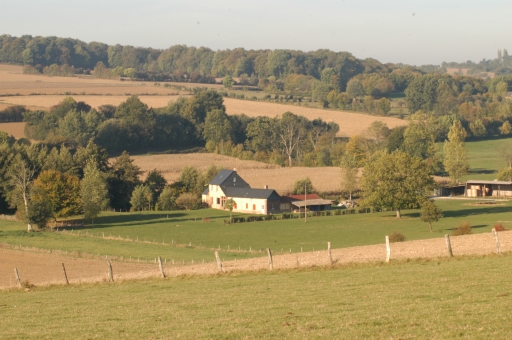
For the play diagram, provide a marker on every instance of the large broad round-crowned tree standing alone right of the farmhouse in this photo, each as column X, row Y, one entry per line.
column 396, row 181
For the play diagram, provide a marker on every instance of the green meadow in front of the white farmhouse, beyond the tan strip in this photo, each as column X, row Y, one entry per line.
column 341, row 231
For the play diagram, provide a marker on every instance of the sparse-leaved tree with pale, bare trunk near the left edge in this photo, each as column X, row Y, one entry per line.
column 20, row 178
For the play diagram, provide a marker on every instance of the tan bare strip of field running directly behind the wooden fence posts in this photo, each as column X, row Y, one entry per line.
column 43, row 268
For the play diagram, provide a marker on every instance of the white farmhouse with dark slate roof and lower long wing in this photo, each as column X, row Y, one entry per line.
column 228, row 184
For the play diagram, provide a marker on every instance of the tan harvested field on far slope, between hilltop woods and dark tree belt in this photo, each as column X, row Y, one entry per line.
column 98, row 92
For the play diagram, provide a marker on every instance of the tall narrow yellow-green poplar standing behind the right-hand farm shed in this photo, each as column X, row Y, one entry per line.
column 455, row 155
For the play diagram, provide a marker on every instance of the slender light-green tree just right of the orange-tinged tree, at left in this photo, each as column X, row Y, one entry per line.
column 93, row 191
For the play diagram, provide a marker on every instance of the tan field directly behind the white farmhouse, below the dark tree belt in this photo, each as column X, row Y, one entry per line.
column 257, row 174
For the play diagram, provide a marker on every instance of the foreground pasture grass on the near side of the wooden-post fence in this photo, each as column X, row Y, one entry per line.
column 467, row 297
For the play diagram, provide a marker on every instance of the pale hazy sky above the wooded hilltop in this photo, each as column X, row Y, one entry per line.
column 413, row 32
